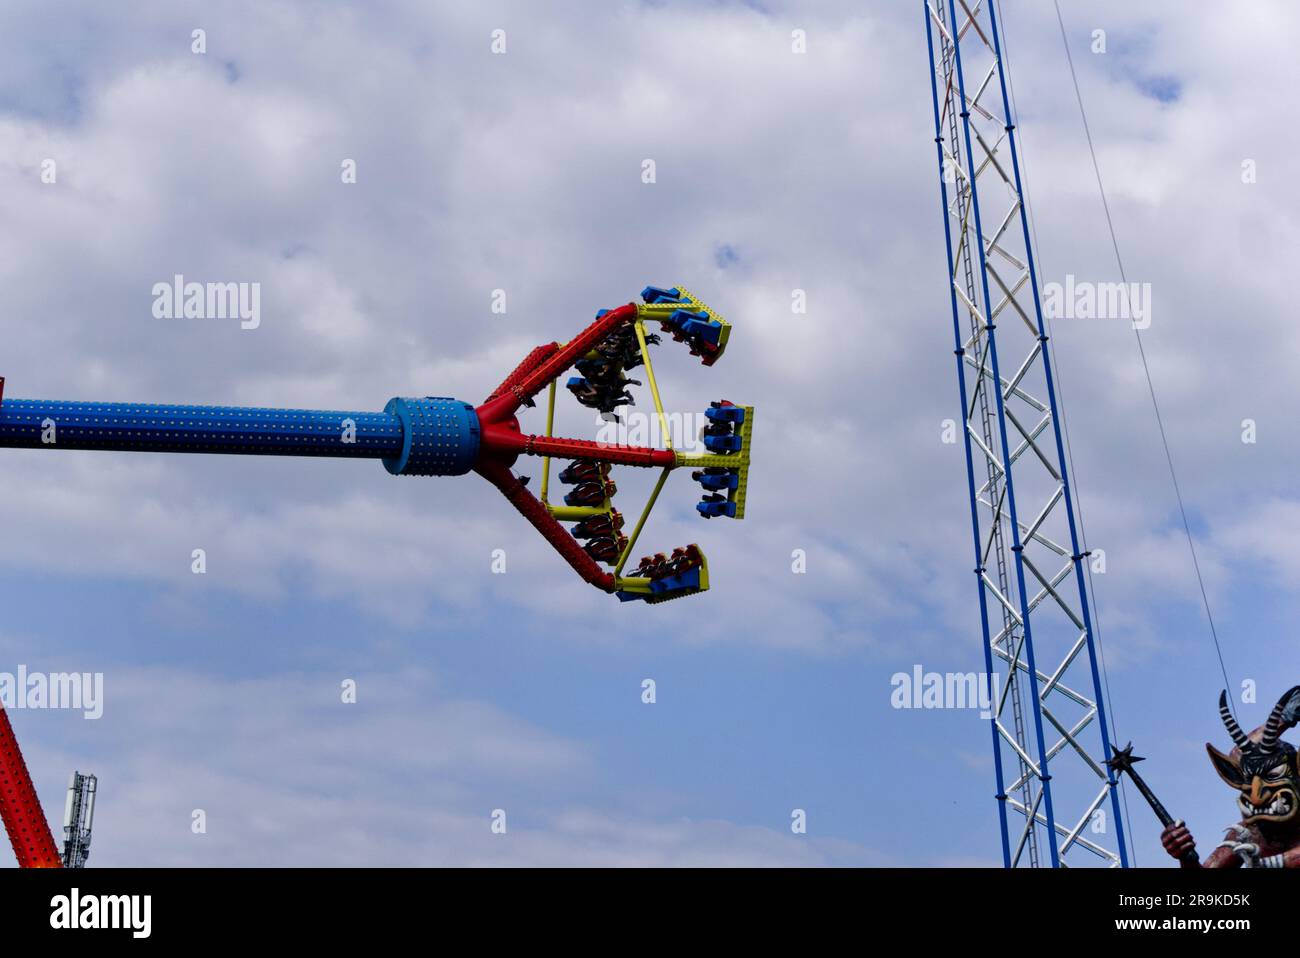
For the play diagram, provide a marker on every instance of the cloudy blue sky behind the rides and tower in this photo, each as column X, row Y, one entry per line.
column 523, row 172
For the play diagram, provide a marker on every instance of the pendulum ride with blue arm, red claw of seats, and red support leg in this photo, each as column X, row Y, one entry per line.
column 430, row 436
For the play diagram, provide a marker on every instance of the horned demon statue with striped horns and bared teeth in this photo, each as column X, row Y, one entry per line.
column 1264, row 771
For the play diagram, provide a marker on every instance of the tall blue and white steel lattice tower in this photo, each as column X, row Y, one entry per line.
column 1048, row 719
